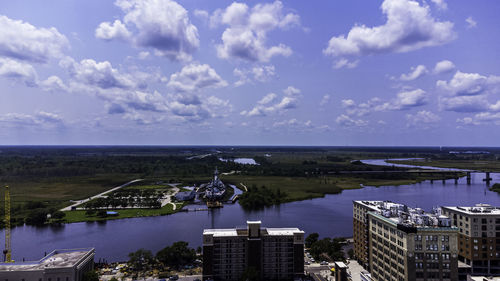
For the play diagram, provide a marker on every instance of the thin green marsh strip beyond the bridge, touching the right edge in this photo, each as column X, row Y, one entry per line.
column 483, row 165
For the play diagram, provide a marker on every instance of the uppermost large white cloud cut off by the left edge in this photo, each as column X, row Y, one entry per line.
column 23, row 41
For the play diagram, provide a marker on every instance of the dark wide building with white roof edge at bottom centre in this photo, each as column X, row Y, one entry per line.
column 271, row 253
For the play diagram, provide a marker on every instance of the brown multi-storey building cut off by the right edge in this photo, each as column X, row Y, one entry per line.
column 478, row 237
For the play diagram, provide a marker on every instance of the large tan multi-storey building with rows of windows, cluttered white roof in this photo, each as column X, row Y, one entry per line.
column 405, row 244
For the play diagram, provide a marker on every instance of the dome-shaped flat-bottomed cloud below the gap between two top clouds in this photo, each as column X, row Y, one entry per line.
column 195, row 77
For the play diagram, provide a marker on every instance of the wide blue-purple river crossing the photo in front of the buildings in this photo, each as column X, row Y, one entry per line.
column 329, row 216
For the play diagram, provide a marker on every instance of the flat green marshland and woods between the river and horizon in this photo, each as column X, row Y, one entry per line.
column 43, row 180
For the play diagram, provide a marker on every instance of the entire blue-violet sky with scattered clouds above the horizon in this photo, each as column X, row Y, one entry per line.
column 392, row 72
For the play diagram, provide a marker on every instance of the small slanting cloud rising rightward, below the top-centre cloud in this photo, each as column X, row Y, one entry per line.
column 269, row 104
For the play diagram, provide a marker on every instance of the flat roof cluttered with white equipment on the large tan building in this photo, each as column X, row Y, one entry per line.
column 404, row 215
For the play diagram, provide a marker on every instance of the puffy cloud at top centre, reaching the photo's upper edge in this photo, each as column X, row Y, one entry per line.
column 246, row 35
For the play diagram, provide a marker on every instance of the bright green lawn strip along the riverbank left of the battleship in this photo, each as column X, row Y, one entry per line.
column 80, row 216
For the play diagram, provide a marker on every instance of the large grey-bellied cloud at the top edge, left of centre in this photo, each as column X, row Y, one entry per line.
column 163, row 25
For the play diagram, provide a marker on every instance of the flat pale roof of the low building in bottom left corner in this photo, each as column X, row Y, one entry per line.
column 56, row 259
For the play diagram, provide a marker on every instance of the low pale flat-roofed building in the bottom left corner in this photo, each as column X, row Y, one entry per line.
column 59, row 265
